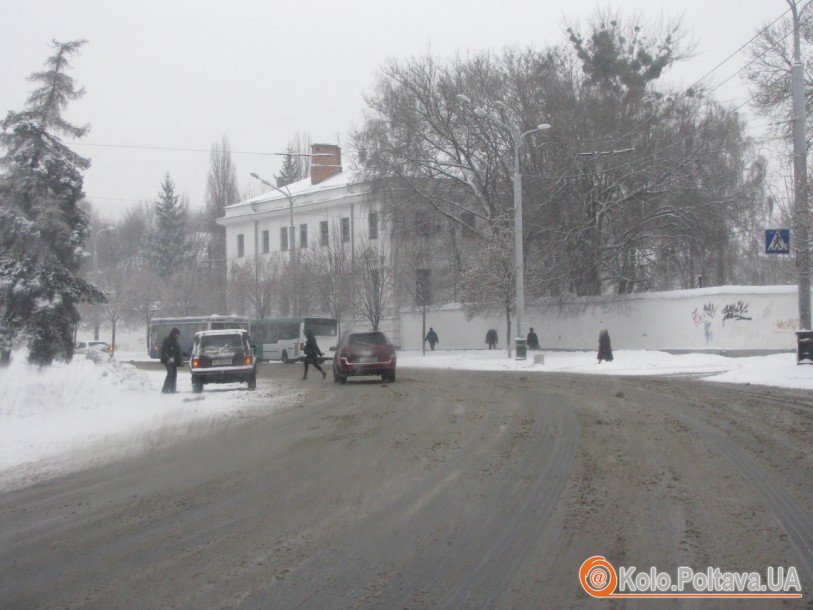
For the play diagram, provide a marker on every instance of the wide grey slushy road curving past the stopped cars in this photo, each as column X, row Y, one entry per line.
column 448, row 488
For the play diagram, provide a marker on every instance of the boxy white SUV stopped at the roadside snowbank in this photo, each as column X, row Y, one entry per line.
column 222, row 356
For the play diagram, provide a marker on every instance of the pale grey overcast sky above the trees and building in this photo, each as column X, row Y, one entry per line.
column 181, row 74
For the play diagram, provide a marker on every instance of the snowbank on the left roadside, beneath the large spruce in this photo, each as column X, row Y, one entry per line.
column 83, row 412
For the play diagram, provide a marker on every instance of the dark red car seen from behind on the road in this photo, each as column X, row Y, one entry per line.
column 364, row 353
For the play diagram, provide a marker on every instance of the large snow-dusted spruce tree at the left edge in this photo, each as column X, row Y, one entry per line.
column 42, row 229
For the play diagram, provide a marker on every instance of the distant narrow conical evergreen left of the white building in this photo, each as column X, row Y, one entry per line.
column 169, row 243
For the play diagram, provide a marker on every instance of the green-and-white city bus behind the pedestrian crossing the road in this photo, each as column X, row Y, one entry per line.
column 284, row 338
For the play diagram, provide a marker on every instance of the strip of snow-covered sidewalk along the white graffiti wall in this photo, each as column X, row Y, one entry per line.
column 778, row 370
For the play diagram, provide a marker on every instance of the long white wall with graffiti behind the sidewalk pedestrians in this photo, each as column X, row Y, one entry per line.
column 725, row 317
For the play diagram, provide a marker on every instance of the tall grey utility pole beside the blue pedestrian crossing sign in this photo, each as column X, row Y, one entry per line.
column 801, row 238
